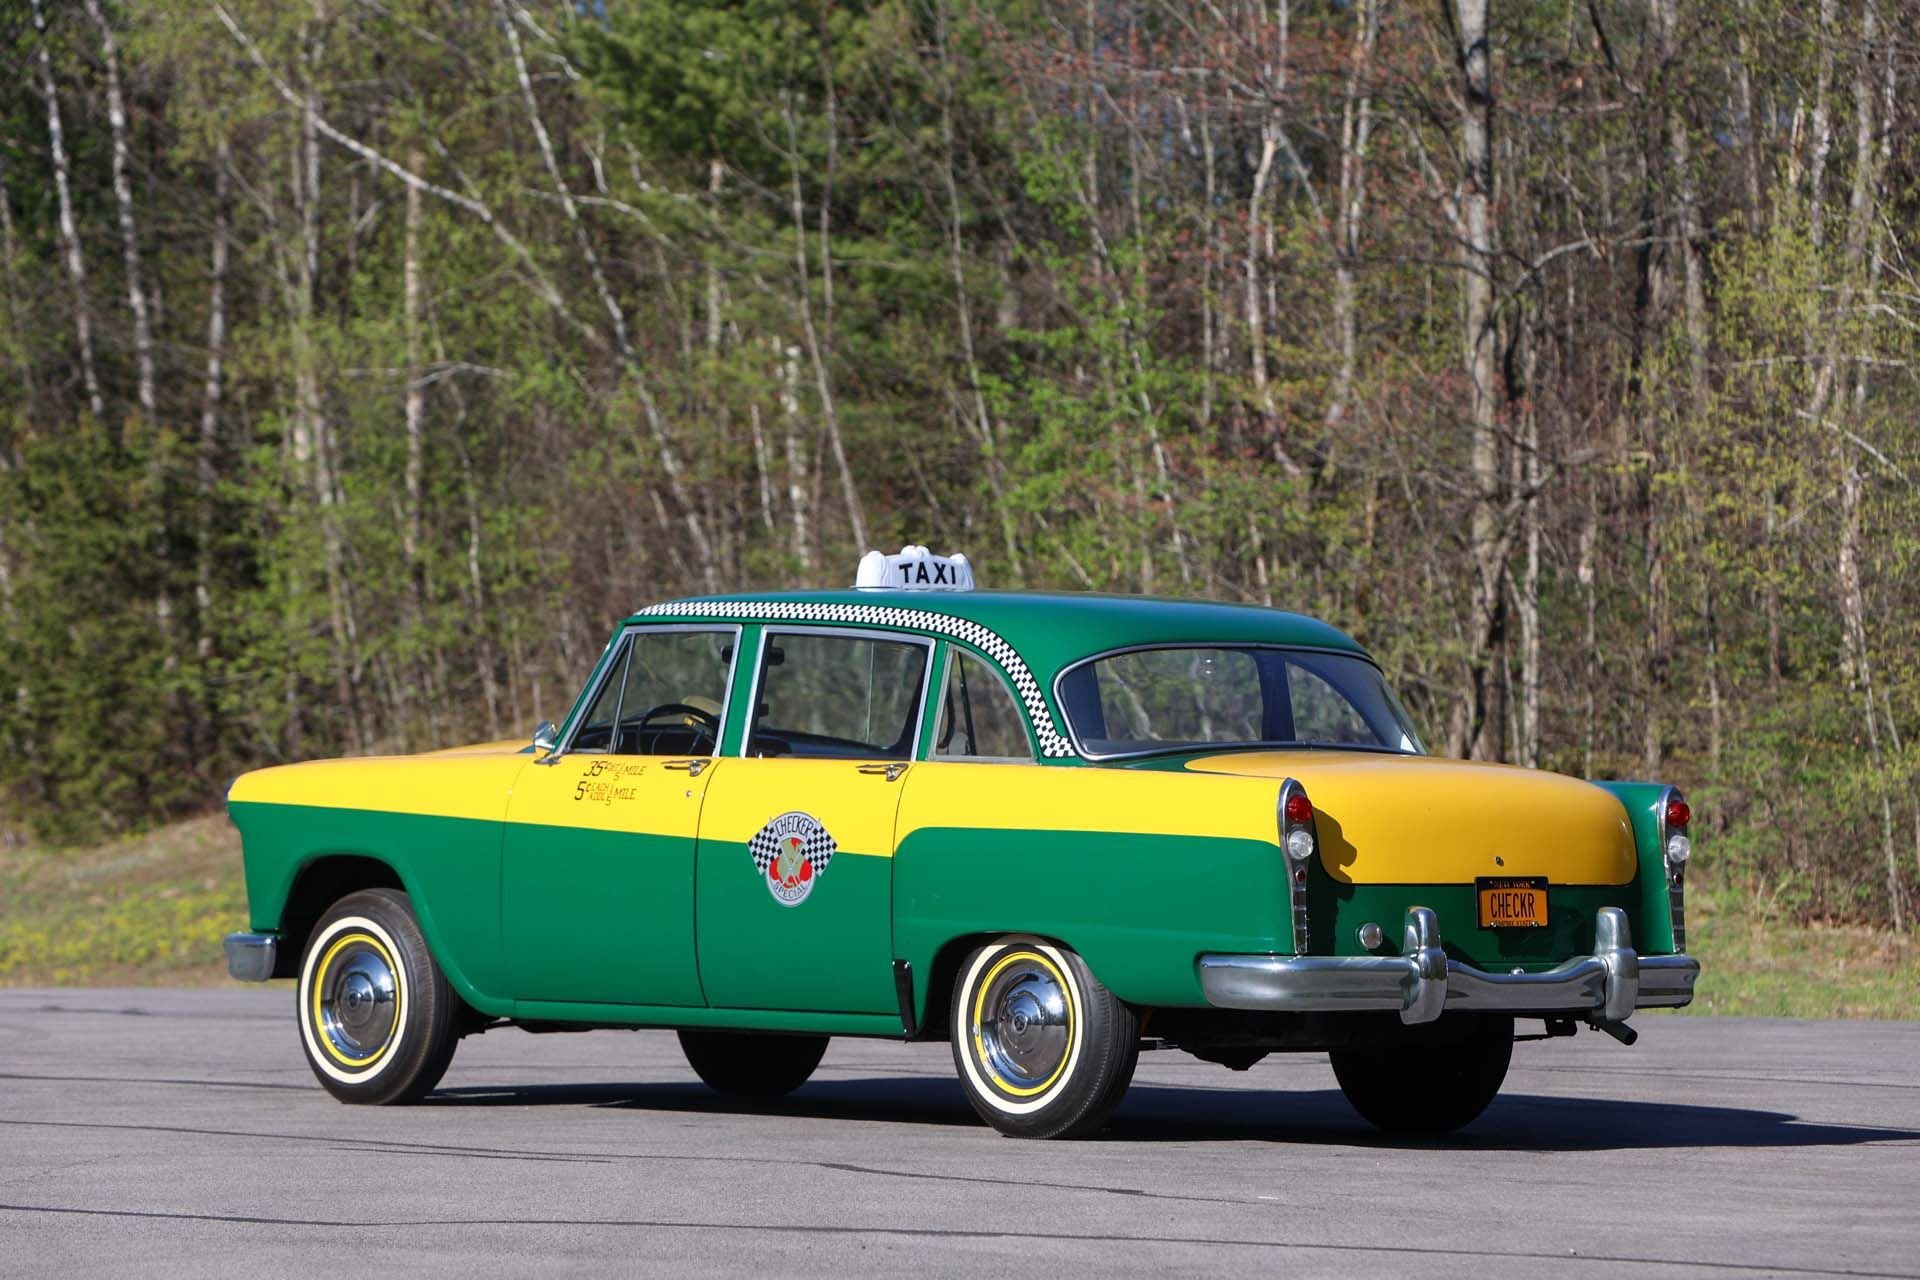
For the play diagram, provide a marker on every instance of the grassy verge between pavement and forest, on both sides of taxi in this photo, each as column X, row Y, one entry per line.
column 151, row 911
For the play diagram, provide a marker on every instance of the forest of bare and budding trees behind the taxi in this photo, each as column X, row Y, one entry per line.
column 362, row 362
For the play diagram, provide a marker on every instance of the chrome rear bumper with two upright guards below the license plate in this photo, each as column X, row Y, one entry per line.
column 1422, row 982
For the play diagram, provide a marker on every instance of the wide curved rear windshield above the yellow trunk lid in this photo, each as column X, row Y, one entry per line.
column 1180, row 699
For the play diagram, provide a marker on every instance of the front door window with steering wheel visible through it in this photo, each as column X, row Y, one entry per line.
column 661, row 696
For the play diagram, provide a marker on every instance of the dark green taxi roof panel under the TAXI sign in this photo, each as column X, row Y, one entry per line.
column 1047, row 628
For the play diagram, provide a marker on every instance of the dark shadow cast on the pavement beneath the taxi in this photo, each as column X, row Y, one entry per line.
column 1170, row 1114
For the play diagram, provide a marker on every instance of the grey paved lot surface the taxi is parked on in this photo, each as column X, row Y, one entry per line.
column 155, row 1133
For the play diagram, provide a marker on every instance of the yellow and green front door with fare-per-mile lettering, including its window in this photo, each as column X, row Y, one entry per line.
column 598, row 880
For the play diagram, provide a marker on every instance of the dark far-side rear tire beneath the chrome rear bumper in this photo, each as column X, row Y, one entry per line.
column 1429, row 1089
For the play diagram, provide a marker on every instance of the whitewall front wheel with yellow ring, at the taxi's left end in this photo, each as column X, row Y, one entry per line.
column 377, row 1016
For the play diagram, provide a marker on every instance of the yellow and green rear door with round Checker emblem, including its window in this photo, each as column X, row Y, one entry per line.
column 796, row 857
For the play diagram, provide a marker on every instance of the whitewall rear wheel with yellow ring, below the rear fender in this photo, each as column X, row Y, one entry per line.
column 1042, row 1049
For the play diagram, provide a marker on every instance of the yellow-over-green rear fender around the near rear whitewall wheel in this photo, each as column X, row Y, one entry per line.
column 1136, row 872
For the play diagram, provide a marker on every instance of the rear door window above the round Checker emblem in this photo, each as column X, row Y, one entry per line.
column 838, row 696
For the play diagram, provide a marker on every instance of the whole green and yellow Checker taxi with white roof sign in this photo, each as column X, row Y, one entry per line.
column 1049, row 830
